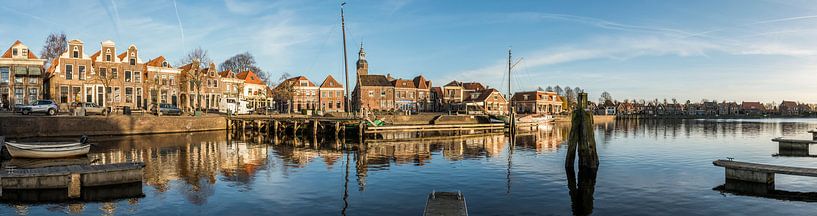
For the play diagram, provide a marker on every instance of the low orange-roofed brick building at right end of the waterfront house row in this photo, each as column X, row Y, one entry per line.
column 537, row 102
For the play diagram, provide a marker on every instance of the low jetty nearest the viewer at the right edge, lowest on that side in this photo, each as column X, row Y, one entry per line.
column 760, row 173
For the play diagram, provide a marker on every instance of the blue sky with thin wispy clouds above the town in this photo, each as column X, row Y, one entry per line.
column 734, row 50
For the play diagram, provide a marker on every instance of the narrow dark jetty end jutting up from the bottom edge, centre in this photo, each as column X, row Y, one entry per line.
column 445, row 204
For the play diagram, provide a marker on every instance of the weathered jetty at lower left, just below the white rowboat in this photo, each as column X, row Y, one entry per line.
column 72, row 177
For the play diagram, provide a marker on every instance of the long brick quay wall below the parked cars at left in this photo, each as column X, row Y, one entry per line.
column 69, row 126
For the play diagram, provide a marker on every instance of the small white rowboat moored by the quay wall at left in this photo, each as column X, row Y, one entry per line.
column 48, row 149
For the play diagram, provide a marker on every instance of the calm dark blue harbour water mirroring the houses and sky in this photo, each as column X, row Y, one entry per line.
column 220, row 171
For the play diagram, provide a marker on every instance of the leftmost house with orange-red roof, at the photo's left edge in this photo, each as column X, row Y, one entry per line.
column 21, row 76
